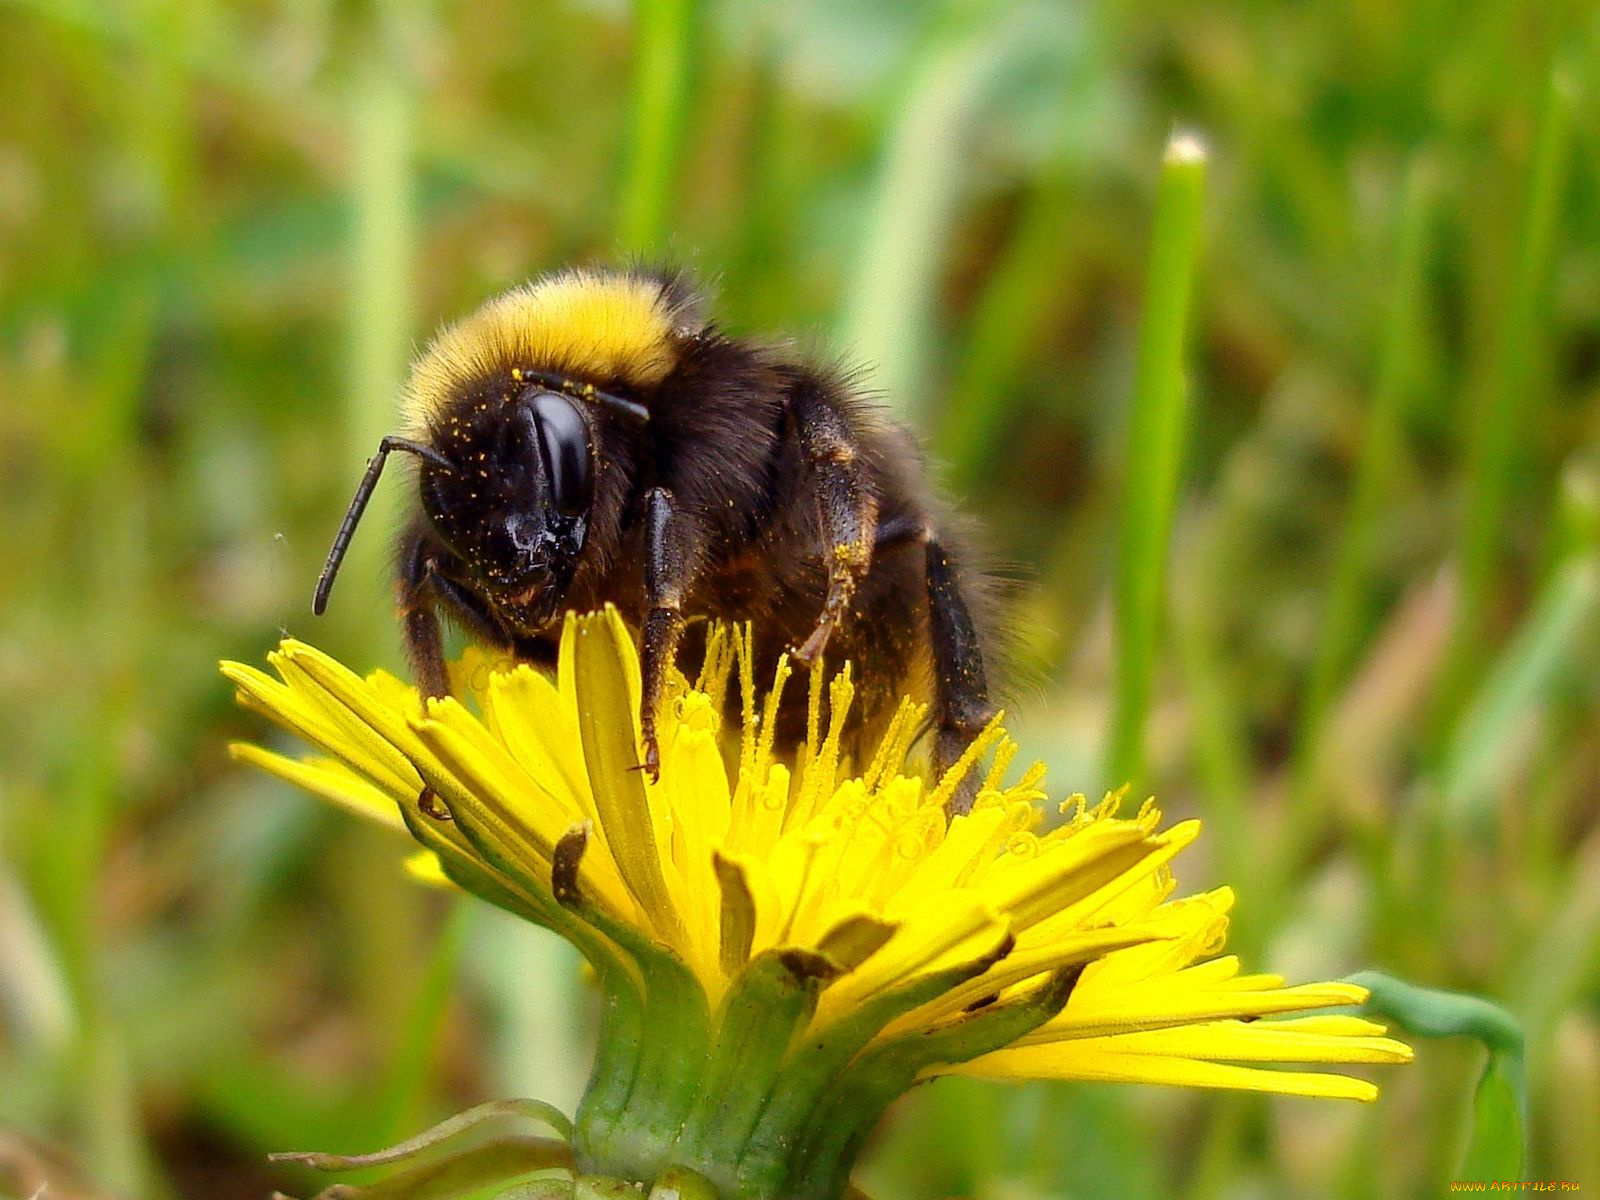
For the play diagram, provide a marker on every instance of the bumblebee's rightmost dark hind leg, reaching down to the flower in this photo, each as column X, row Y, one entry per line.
column 962, row 706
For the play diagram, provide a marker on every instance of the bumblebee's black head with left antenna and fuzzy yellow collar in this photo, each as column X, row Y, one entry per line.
column 508, row 454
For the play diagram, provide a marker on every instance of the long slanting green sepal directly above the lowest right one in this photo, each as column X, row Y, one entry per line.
column 818, row 1062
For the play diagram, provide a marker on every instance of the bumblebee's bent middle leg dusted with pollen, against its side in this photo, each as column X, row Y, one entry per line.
column 847, row 508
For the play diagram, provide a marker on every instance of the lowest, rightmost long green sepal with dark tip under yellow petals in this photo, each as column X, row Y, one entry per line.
column 828, row 1146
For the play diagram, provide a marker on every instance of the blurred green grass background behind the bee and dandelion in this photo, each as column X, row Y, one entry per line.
column 225, row 228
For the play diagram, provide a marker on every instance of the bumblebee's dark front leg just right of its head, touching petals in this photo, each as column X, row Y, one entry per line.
column 674, row 548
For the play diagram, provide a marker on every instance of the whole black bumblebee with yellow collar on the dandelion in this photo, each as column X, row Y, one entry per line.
column 593, row 438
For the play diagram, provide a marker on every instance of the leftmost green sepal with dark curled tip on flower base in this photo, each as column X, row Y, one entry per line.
column 673, row 1052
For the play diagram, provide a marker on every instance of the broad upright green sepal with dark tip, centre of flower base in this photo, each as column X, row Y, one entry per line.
column 769, row 1002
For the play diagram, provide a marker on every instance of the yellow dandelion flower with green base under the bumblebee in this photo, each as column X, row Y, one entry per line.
column 786, row 946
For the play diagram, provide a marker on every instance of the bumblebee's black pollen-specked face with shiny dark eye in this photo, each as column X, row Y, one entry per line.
column 511, row 495
